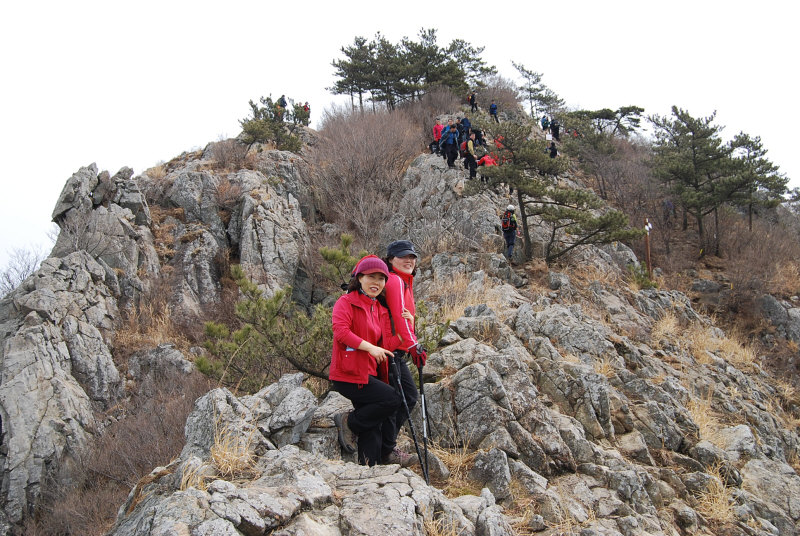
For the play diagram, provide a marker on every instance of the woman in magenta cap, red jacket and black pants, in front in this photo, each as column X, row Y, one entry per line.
column 359, row 368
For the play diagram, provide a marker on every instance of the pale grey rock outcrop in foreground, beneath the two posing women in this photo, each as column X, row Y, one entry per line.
column 287, row 490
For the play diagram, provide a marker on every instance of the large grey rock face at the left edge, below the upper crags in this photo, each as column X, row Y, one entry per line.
column 56, row 364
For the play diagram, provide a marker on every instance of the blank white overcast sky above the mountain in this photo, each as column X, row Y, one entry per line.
column 136, row 83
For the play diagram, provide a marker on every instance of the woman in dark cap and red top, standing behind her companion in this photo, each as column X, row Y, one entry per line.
column 402, row 261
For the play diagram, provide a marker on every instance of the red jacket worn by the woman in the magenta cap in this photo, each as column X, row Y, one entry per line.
column 356, row 318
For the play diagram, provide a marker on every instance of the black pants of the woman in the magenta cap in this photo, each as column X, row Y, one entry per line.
column 373, row 418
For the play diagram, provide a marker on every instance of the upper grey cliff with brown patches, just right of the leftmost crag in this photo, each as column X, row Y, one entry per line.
column 253, row 216
